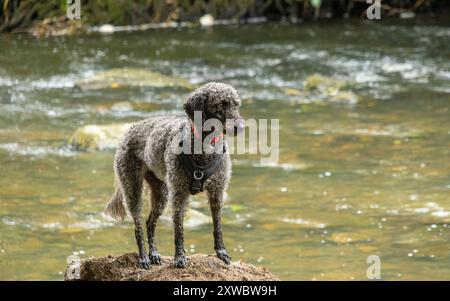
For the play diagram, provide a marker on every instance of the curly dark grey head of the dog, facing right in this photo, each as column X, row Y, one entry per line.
column 218, row 101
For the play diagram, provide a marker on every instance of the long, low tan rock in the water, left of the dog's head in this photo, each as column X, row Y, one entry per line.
column 131, row 77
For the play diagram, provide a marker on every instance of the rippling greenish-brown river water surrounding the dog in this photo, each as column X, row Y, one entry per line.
column 353, row 180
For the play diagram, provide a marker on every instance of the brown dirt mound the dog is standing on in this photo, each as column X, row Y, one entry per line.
column 200, row 267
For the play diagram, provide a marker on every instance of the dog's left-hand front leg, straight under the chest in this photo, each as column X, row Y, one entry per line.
column 179, row 206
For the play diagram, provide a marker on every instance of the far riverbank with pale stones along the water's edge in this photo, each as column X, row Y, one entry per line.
column 48, row 18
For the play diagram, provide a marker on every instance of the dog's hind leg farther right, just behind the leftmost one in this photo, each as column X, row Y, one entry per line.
column 159, row 201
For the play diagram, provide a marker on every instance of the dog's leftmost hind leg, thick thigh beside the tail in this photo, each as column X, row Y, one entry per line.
column 129, row 170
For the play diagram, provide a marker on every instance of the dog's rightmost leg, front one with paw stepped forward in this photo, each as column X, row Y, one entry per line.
column 215, row 199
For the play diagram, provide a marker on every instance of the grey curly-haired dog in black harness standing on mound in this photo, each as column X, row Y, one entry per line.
column 150, row 151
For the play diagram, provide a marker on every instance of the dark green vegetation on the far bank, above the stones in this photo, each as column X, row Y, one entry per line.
column 21, row 14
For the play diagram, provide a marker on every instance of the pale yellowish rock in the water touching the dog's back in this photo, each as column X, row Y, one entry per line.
column 98, row 137
